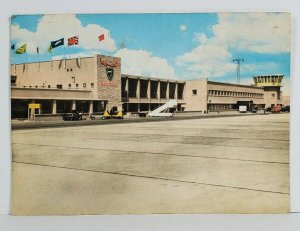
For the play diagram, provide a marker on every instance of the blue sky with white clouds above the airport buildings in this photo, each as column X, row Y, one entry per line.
column 172, row 46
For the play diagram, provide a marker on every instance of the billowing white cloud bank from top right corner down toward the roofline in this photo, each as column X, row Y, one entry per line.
column 255, row 32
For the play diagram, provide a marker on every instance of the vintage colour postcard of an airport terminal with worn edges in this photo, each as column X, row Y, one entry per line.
column 169, row 113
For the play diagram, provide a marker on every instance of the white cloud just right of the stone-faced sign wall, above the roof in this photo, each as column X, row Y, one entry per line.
column 141, row 62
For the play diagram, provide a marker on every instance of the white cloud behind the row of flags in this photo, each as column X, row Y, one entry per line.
column 53, row 27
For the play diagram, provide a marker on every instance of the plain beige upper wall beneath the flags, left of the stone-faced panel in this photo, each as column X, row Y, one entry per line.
column 77, row 73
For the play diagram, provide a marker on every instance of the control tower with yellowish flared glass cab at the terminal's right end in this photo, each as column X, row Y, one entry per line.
column 272, row 88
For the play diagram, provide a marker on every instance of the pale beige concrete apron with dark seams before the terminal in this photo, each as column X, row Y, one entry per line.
column 213, row 165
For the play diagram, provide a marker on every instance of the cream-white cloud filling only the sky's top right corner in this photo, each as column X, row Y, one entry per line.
column 259, row 32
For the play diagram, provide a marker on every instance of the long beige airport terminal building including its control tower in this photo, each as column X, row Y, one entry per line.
column 94, row 84
